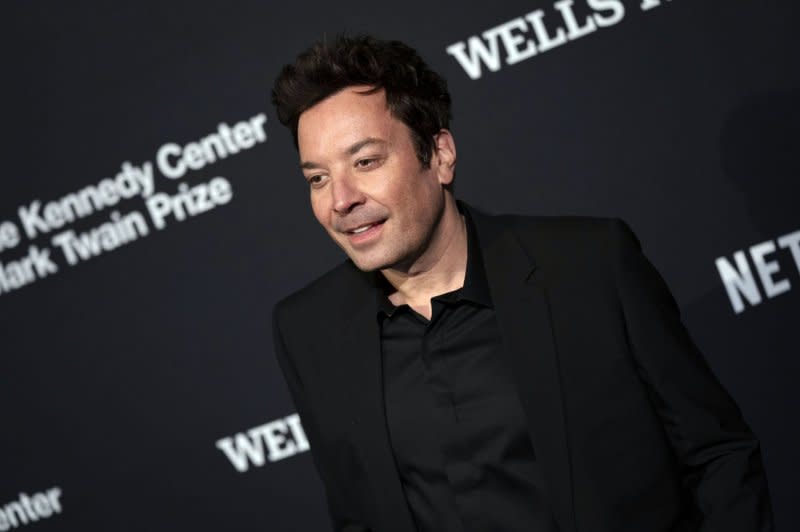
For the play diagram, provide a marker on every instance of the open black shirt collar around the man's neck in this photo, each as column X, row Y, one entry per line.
column 476, row 286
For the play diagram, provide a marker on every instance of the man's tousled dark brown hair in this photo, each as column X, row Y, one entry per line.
column 415, row 94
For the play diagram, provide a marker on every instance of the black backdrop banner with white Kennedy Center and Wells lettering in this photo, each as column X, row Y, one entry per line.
column 153, row 211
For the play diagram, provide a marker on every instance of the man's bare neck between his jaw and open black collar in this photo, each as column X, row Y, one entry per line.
column 440, row 269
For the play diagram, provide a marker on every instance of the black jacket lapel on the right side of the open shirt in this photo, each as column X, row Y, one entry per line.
column 524, row 318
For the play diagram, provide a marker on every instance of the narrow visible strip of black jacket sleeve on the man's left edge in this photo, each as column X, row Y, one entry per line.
column 339, row 521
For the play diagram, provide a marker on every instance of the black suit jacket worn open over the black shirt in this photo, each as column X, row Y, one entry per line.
column 633, row 430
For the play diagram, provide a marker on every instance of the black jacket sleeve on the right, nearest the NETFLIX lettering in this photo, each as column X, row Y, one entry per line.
column 721, row 456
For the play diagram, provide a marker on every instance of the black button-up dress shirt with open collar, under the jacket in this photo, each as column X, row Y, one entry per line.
column 457, row 428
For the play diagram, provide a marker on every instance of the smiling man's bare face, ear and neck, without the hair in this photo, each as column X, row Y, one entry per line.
column 371, row 193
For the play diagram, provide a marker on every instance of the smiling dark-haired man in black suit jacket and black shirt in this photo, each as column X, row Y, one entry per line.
column 486, row 373
